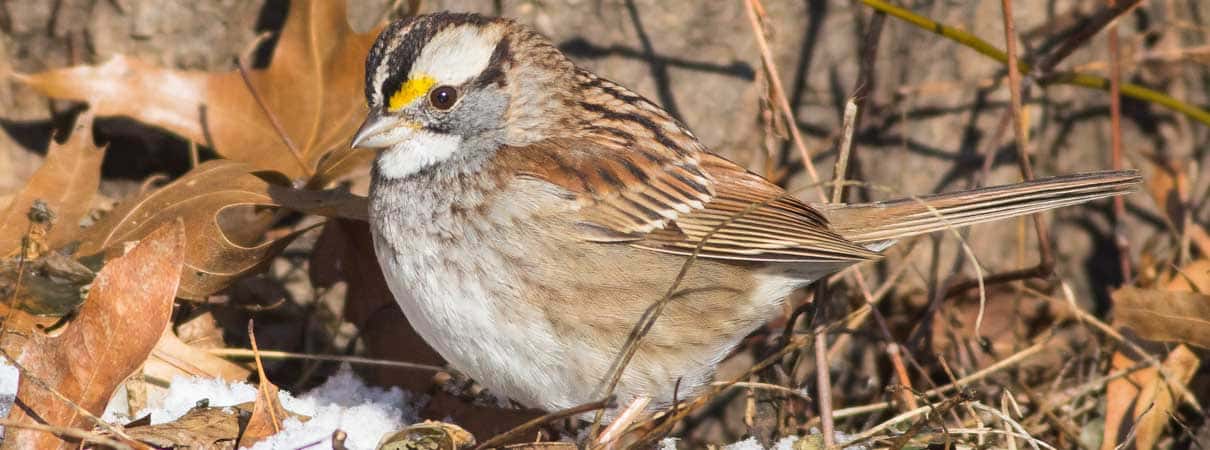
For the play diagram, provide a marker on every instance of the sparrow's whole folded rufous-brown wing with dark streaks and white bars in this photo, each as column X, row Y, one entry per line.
column 664, row 204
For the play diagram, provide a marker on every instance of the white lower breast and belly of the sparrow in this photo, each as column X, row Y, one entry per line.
column 463, row 302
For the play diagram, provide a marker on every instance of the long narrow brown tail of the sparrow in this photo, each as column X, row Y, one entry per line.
column 886, row 222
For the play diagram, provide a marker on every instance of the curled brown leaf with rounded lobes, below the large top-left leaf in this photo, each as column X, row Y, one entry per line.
column 216, row 256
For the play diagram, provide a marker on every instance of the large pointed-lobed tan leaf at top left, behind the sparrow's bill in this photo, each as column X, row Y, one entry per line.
column 314, row 86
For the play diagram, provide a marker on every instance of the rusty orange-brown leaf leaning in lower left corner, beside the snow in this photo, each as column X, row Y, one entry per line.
column 128, row 309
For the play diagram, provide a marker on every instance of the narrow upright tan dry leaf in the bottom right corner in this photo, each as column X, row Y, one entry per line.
column 1155, row 405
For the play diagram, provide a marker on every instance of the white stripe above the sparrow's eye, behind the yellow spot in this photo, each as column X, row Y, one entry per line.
column 457, row 55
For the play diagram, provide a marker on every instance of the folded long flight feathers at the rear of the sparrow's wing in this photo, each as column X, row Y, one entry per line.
column 756, row 221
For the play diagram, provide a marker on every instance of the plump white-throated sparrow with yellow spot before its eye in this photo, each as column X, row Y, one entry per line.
column 527, row 212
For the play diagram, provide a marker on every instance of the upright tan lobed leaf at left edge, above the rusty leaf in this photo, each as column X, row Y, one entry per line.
column 66, row 183
